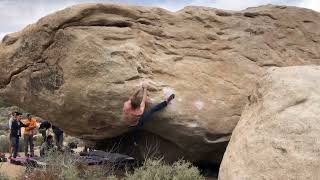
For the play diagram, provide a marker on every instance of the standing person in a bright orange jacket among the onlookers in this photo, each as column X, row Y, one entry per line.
column 29, row 131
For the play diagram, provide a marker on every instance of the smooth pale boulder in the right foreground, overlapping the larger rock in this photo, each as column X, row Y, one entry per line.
column 277, row 135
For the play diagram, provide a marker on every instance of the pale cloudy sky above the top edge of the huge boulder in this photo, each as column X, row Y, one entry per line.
column 16, row 14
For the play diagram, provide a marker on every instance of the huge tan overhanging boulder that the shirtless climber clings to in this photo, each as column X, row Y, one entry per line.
column 77, row 66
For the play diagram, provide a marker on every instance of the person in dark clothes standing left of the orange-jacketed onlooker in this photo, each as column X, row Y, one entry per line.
column 15, row 133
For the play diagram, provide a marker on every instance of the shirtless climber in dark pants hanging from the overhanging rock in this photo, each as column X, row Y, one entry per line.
column 134, row 111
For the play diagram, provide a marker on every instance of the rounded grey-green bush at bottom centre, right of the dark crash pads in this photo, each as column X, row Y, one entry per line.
column 158, row 170
